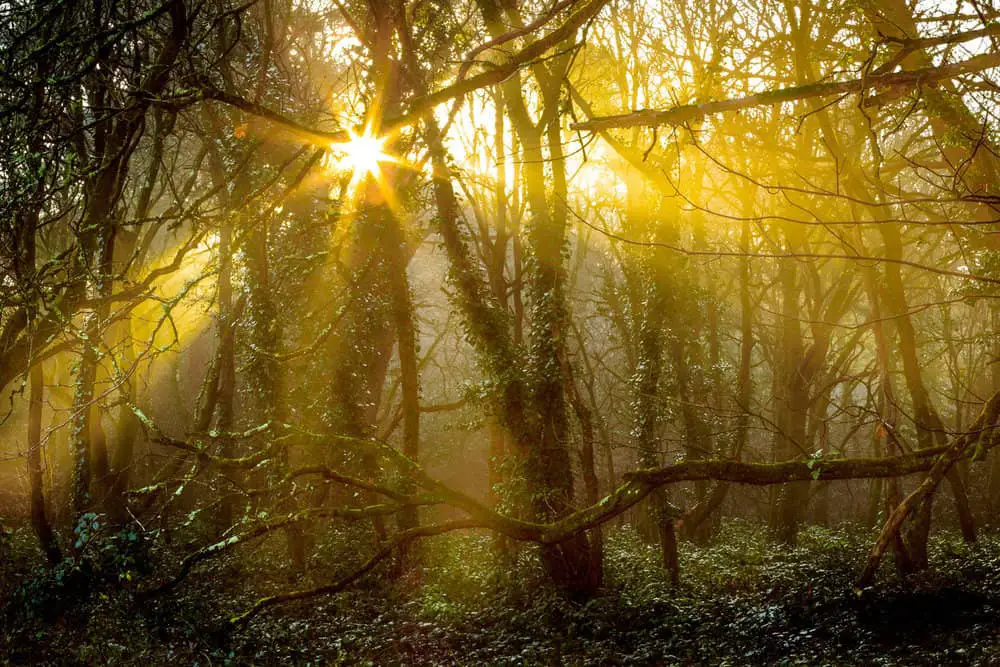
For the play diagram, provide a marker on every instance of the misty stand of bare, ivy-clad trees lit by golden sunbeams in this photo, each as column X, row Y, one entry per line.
column 236, row 228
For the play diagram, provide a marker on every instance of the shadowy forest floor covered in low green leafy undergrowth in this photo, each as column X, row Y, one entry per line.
column 742, row 601
